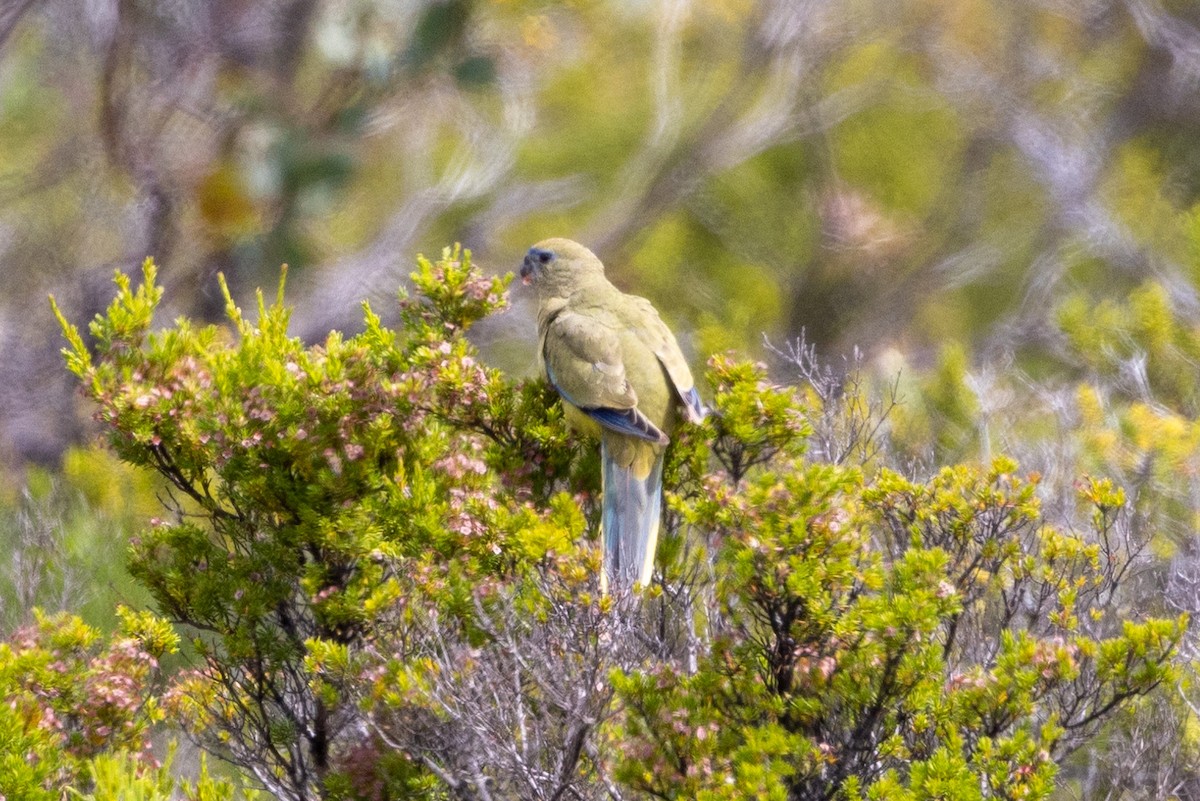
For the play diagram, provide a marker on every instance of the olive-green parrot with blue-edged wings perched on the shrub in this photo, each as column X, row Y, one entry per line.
column 621, row 375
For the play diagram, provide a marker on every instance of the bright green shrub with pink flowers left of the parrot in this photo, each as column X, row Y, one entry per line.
column 316, row 492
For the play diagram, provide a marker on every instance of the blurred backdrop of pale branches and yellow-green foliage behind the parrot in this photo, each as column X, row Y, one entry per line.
column 886, row 176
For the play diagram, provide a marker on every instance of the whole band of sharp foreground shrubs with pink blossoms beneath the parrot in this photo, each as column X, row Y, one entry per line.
column 379, row 555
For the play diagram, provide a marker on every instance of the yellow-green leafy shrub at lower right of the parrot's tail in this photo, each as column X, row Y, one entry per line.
column 892, row 639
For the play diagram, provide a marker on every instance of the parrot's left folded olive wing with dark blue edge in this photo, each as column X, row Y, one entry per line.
column 584, row 362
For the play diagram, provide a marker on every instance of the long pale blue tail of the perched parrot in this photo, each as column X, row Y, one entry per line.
column 633, row 509
